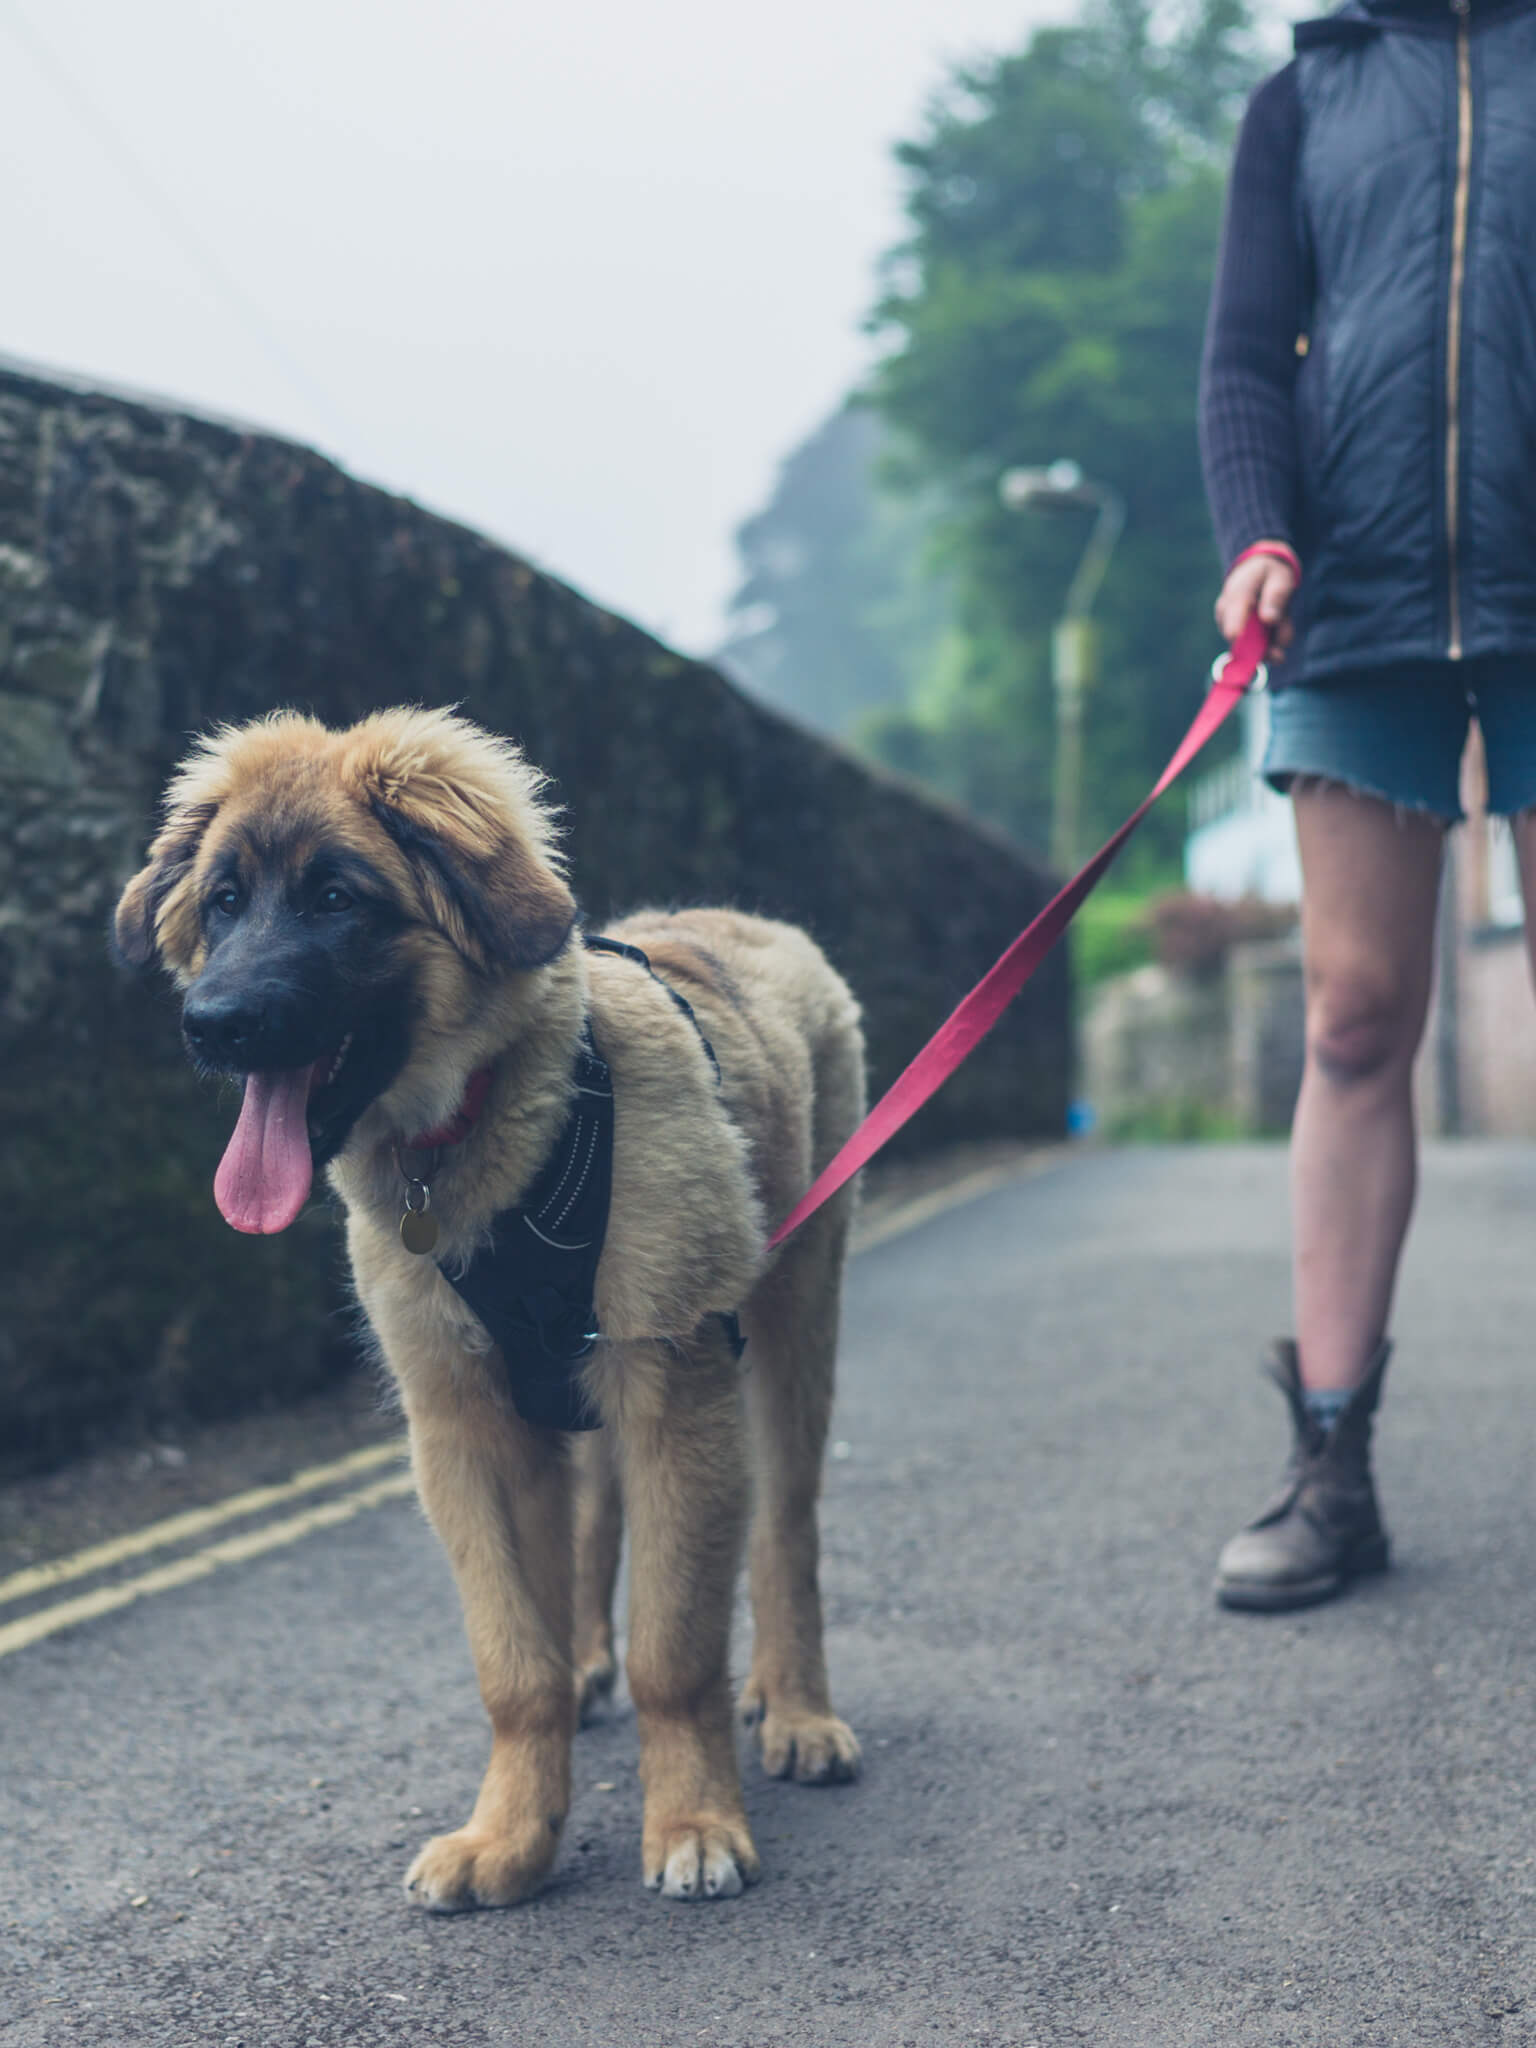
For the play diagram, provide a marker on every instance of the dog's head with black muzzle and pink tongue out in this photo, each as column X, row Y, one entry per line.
column 331, row 902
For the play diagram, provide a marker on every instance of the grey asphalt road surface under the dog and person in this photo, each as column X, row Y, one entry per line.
column 1097, row 1809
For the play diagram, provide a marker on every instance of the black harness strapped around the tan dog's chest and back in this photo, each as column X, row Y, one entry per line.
column 536, row 1283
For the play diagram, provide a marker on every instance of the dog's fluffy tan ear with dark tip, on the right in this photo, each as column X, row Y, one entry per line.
column 468, row 814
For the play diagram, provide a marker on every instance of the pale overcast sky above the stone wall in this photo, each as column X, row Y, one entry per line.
column 577, row 275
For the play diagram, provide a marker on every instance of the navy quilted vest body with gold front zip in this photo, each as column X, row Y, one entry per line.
column 1416, row 402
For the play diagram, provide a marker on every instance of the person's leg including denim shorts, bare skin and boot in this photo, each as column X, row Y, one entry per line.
column 1371, row 763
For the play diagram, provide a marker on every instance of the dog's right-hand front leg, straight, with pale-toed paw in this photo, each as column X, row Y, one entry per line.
column 677, row 1412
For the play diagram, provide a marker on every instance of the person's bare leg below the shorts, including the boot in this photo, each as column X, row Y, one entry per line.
column 1369, row 890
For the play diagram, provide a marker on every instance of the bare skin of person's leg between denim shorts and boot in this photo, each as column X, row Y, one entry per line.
column 1371, row 880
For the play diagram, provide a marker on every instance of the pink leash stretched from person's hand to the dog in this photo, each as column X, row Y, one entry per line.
column 964, row 1031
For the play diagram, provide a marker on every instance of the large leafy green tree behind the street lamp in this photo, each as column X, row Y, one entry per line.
column 1050, row 304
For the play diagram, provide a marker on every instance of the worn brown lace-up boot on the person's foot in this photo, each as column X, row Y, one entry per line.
column 1322, row 1529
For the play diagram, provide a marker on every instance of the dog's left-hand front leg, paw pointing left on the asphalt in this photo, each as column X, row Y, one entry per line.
column 501, row 1500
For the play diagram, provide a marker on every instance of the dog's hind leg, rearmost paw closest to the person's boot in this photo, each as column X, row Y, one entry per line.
column 792, row 1328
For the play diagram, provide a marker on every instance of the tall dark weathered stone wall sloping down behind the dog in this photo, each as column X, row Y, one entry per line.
column 163, row 572
